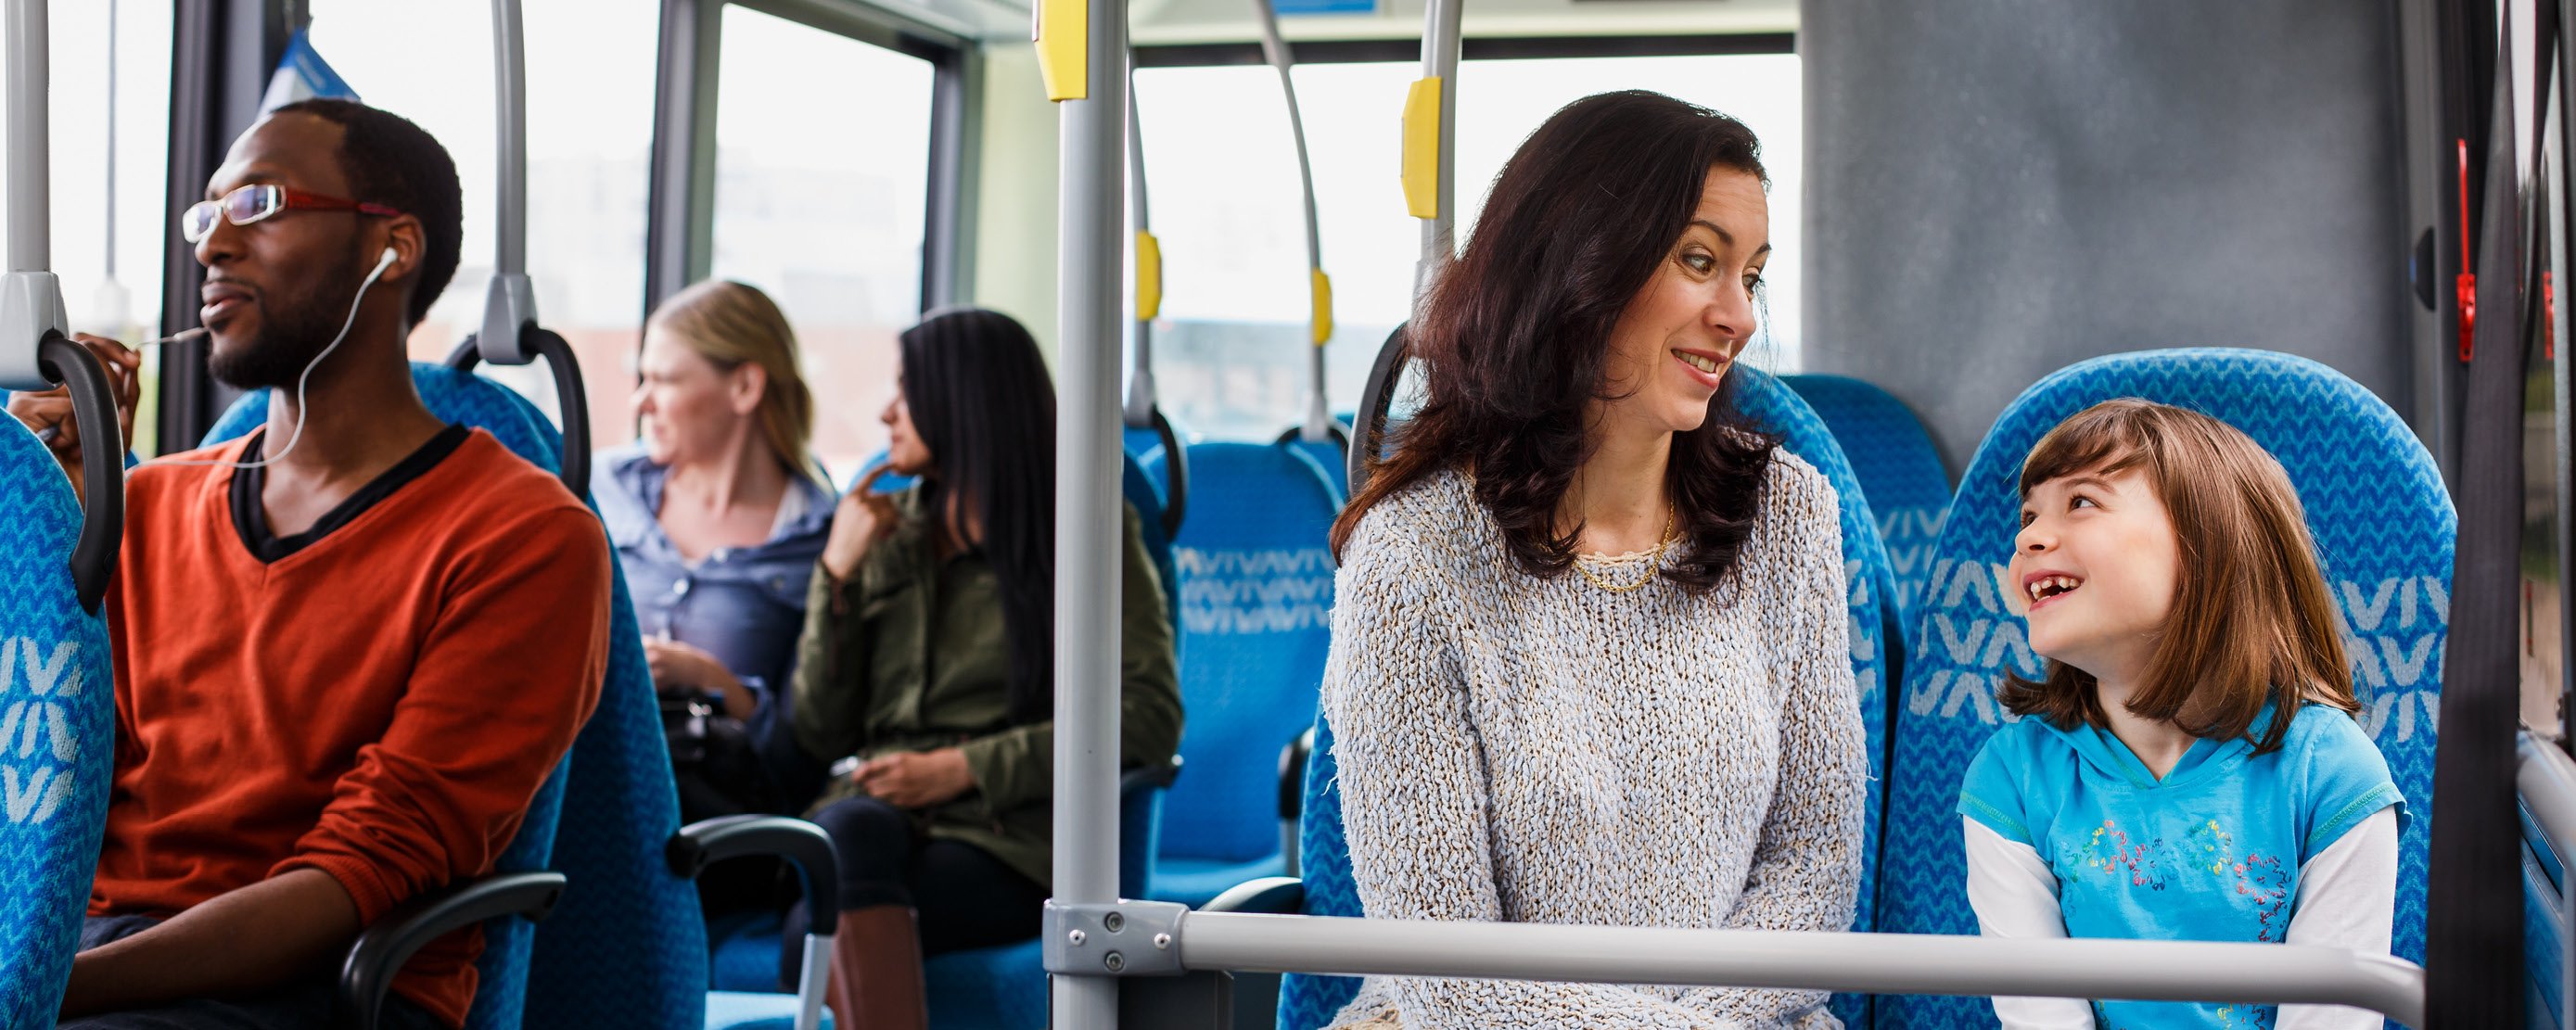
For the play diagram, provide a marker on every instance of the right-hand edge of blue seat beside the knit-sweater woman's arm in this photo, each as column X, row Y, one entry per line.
column 1869, row 591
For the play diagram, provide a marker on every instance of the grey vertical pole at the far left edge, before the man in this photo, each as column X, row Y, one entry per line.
column 30, row 295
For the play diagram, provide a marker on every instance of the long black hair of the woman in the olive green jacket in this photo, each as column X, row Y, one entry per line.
column 985, row 408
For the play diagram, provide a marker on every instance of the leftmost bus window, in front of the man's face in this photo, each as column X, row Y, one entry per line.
column 112, row 261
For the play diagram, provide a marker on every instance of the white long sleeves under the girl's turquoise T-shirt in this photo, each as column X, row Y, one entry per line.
column 2345, row 900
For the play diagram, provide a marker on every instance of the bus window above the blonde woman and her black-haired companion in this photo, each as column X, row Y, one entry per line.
column 823, row 174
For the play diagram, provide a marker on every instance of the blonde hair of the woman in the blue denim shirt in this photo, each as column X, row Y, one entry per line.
column 738, row 326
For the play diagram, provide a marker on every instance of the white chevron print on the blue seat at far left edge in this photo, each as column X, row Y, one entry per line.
column 37, row 735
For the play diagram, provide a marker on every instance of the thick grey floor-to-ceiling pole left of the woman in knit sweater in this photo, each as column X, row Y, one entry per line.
column 1088, row 478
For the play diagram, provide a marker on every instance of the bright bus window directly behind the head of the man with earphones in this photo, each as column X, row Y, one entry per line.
column 591, row 86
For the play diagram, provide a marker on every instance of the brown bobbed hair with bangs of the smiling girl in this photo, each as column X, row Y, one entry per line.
column 2253, row 624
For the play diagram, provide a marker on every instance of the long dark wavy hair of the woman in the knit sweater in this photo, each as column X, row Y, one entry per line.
column 1516, row 333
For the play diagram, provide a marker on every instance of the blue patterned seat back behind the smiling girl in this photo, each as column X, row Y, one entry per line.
column 2384, row 529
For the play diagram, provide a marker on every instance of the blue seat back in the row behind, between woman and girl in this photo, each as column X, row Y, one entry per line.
column 1895, row 465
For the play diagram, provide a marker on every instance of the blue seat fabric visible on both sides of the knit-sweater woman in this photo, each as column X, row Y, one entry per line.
column 1325, row 861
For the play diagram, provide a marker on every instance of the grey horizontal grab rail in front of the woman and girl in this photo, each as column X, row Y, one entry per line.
column 1817, row 962
